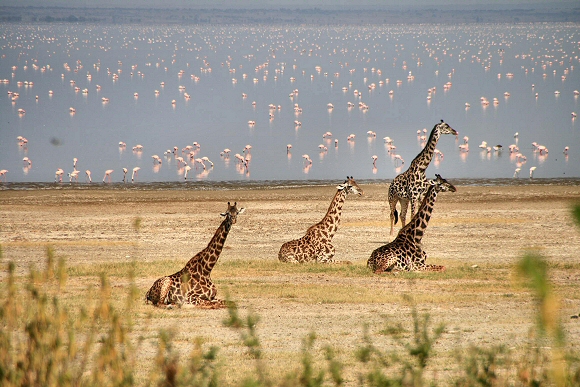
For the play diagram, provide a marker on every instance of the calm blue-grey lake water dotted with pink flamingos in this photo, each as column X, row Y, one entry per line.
column 409, row 77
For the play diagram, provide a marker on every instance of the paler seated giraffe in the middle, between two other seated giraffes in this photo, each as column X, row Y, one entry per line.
column 316, row 245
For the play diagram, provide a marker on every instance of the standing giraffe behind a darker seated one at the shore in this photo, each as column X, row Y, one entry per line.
column 410, row 185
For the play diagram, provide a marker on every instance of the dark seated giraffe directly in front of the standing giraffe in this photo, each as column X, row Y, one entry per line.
column 405, row 252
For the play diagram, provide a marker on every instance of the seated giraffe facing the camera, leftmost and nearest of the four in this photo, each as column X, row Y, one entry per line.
column 192, row 285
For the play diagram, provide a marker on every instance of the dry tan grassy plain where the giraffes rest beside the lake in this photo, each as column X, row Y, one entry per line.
column 479, row 233
